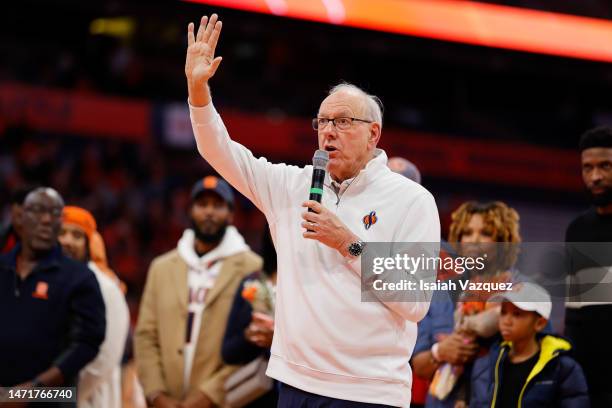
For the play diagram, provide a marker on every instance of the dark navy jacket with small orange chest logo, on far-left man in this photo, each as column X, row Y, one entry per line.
column 55, row 317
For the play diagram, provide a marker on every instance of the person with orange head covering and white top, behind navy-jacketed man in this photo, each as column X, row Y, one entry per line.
column 100, row 381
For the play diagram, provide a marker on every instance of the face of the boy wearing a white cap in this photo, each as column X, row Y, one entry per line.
column 516, row 324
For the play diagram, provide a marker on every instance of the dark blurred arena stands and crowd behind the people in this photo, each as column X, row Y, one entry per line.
column 93, row 103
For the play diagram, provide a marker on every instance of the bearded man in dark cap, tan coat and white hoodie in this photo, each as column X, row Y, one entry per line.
column 186, row 303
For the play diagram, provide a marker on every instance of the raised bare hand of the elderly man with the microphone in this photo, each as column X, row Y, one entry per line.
column 201, row 64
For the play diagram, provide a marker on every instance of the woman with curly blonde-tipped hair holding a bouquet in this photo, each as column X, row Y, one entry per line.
column 455, row 331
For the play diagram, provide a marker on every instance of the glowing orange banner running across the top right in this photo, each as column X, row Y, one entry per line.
column 453, row 20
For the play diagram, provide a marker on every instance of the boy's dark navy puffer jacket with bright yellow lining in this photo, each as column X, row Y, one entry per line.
column 556, row 380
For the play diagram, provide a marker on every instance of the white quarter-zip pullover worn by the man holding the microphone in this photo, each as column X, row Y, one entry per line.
column 326, row 340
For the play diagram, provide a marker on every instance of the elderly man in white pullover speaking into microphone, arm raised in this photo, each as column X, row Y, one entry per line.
column 329, row 347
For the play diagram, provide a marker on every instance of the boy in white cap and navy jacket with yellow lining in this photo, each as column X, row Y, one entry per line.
column 527, row 369
